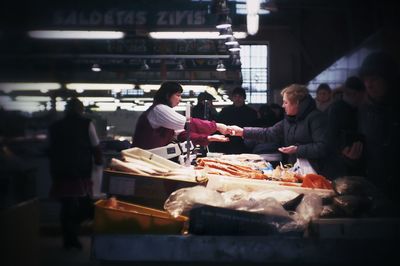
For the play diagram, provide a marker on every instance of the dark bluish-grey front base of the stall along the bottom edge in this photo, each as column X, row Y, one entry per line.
column 234, row 249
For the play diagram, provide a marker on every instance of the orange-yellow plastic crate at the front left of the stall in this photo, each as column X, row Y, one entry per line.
column 135, row 219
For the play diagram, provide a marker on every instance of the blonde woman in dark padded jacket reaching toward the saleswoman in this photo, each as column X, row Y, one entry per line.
column 301, row 134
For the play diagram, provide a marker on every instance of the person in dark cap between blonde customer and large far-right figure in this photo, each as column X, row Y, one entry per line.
column 346, row 141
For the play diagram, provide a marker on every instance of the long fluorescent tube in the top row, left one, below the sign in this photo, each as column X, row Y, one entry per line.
column 75, row 34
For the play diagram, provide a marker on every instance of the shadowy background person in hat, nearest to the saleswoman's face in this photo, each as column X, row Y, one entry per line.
column 204, row 108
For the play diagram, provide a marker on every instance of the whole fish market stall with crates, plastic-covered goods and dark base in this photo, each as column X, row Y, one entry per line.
column 195, row 214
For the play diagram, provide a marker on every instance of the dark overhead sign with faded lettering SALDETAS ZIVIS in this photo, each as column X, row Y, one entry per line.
column 120, row 15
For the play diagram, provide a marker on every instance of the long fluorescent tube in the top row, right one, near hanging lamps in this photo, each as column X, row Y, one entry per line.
column 192, row 35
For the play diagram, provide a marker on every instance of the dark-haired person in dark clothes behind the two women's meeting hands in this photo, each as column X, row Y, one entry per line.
column 236, row 114
